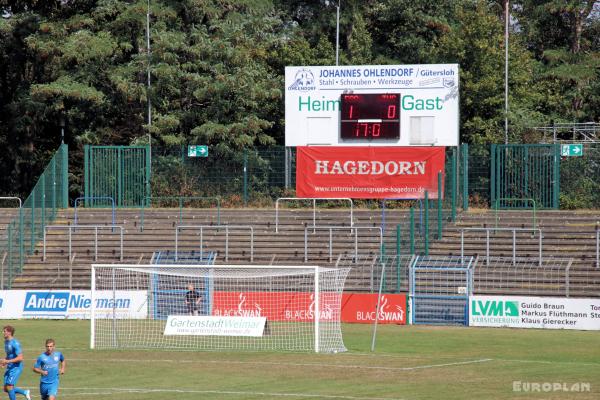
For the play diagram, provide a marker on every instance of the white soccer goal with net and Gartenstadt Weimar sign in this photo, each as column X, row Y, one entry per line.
column 251, row 307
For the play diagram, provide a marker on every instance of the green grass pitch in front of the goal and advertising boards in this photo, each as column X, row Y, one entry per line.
column 409, row 362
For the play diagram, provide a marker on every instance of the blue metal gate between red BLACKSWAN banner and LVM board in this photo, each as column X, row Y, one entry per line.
column 440, row 289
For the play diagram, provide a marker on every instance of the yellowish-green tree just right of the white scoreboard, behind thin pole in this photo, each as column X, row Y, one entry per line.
column 476, row 43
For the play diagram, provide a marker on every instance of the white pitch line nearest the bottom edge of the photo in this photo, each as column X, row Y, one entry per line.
column 109, row 391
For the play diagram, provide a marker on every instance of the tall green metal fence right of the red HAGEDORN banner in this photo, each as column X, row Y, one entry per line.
column 489, row 172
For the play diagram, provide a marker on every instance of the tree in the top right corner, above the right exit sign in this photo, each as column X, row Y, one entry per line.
column 563, row 36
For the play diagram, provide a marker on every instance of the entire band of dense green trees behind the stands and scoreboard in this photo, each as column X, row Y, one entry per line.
column 216, row 68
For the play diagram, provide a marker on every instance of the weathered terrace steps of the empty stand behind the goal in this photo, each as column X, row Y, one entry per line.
column 287, row 246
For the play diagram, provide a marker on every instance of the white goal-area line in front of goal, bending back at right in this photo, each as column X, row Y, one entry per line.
column 344, row 366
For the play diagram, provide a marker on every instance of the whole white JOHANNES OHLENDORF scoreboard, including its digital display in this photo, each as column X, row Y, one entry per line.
column 372, row 105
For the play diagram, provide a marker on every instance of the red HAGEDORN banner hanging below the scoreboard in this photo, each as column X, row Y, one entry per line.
column 369, row 172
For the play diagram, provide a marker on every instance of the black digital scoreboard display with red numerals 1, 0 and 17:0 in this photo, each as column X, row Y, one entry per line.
column 370, row 116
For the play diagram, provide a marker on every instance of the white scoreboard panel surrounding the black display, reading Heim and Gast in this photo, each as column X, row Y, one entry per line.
column 429, row 97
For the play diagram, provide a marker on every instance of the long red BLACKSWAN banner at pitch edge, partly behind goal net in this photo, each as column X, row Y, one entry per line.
column 300, row 306
